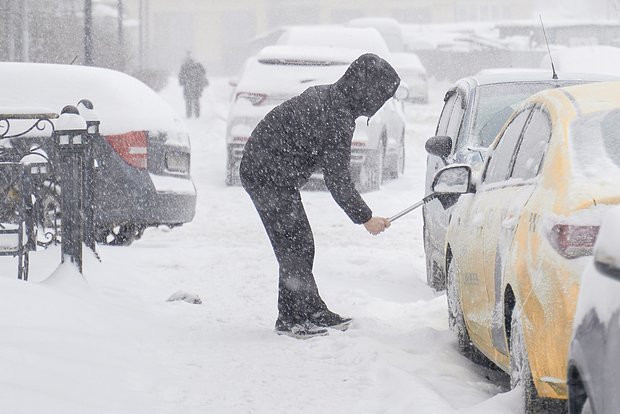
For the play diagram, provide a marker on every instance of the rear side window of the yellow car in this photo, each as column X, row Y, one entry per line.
column 533, row 145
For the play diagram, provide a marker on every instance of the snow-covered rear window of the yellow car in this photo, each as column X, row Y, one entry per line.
column 595, row 146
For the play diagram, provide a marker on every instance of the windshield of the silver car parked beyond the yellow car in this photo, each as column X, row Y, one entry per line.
column 496, row 103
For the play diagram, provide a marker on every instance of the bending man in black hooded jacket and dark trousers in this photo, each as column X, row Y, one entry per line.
column 309, row 132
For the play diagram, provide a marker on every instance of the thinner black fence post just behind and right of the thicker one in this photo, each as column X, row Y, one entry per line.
column 91, row 116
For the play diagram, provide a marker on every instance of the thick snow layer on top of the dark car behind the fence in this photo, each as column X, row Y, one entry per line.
column 123, row 102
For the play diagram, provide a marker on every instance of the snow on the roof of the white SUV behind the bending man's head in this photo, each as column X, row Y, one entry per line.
column 367, row 39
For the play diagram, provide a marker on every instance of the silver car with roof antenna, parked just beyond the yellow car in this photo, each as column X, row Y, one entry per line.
column 475, row 109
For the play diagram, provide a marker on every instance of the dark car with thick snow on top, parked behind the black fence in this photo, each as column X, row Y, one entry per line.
column 142, row 161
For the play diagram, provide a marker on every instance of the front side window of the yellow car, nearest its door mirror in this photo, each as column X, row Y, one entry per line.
column 500, row 159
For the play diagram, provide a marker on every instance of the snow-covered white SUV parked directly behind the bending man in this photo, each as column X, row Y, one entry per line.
column 308, row 57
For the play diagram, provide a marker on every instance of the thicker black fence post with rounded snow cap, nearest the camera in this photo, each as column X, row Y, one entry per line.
column 70, row 144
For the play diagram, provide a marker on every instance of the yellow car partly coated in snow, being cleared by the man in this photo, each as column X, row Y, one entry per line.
column 517, row 243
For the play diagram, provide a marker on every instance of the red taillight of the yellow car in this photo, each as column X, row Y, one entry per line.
column 573, row 241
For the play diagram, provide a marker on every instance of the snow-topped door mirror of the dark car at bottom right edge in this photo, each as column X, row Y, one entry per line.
column 606, row 252
